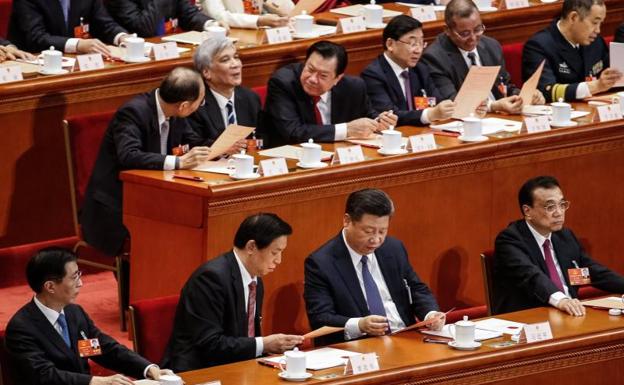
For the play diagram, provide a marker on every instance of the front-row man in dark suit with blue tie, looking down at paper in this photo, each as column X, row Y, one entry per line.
column 362, row 280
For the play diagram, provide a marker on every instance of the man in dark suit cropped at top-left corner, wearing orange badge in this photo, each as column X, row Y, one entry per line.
column 37, row 25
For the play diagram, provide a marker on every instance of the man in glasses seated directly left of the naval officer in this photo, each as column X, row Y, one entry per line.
column 463, row 45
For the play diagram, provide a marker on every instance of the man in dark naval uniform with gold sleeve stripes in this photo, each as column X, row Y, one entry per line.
column 577, row 57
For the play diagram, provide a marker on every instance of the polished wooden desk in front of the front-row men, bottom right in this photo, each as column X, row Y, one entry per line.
column 584, row 351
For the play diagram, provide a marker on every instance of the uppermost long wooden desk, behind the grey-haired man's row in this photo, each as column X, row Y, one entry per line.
column 34, row 193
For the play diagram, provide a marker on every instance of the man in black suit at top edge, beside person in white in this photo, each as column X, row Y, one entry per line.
column 147, row 17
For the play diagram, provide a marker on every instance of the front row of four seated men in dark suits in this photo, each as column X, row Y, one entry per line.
column 361, row 280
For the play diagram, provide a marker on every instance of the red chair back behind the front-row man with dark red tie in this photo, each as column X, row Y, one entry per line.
column 152, row 322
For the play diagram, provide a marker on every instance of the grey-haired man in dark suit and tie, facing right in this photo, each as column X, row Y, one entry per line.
column 226, row 101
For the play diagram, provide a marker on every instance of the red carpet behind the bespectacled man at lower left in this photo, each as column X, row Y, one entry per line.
column 98, row 296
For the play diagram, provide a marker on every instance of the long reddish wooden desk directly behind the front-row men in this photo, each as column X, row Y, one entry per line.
column 450, row 205
